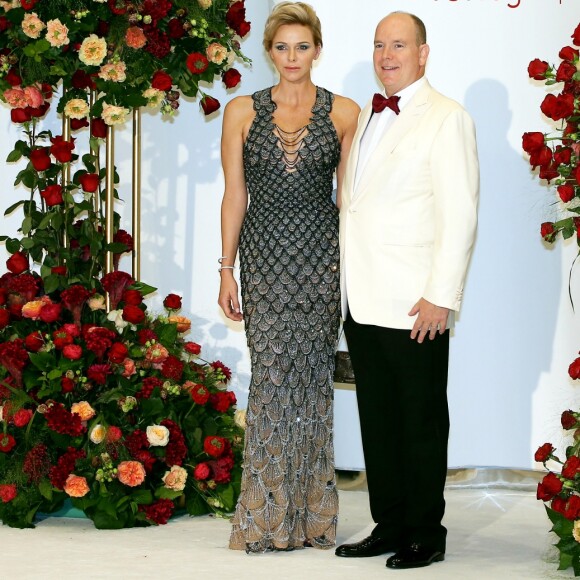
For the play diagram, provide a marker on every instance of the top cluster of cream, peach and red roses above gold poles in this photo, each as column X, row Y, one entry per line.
column 132, row 53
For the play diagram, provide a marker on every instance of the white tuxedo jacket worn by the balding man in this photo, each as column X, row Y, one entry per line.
column 407, row 228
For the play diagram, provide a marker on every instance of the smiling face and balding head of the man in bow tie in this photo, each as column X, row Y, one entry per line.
column 398, row 61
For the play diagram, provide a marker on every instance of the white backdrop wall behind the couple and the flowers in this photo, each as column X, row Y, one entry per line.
column 516, row 334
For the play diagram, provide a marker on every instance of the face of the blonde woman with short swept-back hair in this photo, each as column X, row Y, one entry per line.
column 293, row 51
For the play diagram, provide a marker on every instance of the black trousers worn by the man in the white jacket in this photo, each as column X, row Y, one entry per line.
column 402, row 399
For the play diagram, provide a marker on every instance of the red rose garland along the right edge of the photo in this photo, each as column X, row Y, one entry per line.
column 558, row 159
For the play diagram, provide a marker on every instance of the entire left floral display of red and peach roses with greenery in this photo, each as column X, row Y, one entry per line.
column 110, row 408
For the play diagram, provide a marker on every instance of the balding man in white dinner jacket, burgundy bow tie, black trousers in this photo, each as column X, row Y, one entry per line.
column 407, row 227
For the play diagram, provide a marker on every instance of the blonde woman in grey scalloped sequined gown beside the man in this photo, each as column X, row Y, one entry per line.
column 280, row 149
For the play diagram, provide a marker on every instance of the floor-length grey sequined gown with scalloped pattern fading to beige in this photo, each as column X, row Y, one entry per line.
column 289, row 261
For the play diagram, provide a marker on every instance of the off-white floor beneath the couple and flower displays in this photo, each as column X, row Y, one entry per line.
column 493, row 534
